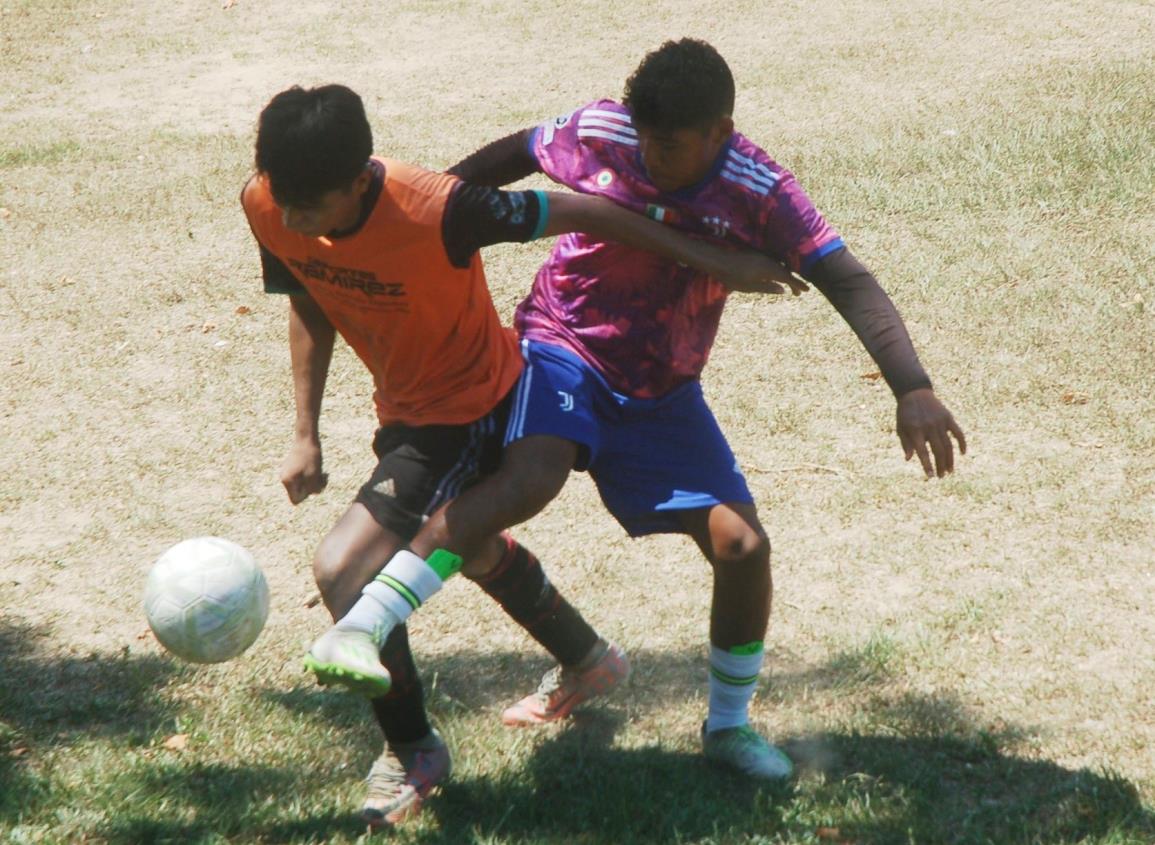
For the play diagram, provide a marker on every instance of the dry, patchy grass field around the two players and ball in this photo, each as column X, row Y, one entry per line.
column 967, row 661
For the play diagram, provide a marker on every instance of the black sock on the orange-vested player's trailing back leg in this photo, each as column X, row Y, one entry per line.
column 519, row 585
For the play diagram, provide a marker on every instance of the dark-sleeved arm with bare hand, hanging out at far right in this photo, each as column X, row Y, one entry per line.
column 925, row 425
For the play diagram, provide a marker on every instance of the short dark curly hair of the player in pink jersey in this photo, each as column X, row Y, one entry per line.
column 681, row 86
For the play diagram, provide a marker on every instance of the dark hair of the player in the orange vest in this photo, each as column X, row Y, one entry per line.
column 312, row 141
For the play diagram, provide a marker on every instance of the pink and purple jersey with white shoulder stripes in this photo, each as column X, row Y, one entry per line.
column 645, row 323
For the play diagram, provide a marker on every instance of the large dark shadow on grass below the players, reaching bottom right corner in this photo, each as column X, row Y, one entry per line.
column 884, row 790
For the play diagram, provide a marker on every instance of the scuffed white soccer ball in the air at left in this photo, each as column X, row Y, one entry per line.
column 206, row 600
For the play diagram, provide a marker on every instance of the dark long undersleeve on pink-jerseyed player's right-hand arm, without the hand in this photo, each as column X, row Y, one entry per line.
column 865, row 305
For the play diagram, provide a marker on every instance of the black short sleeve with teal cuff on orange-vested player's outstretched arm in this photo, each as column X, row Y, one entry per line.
column 478, row 216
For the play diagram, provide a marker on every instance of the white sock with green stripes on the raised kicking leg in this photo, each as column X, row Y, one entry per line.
column 406, row 584
